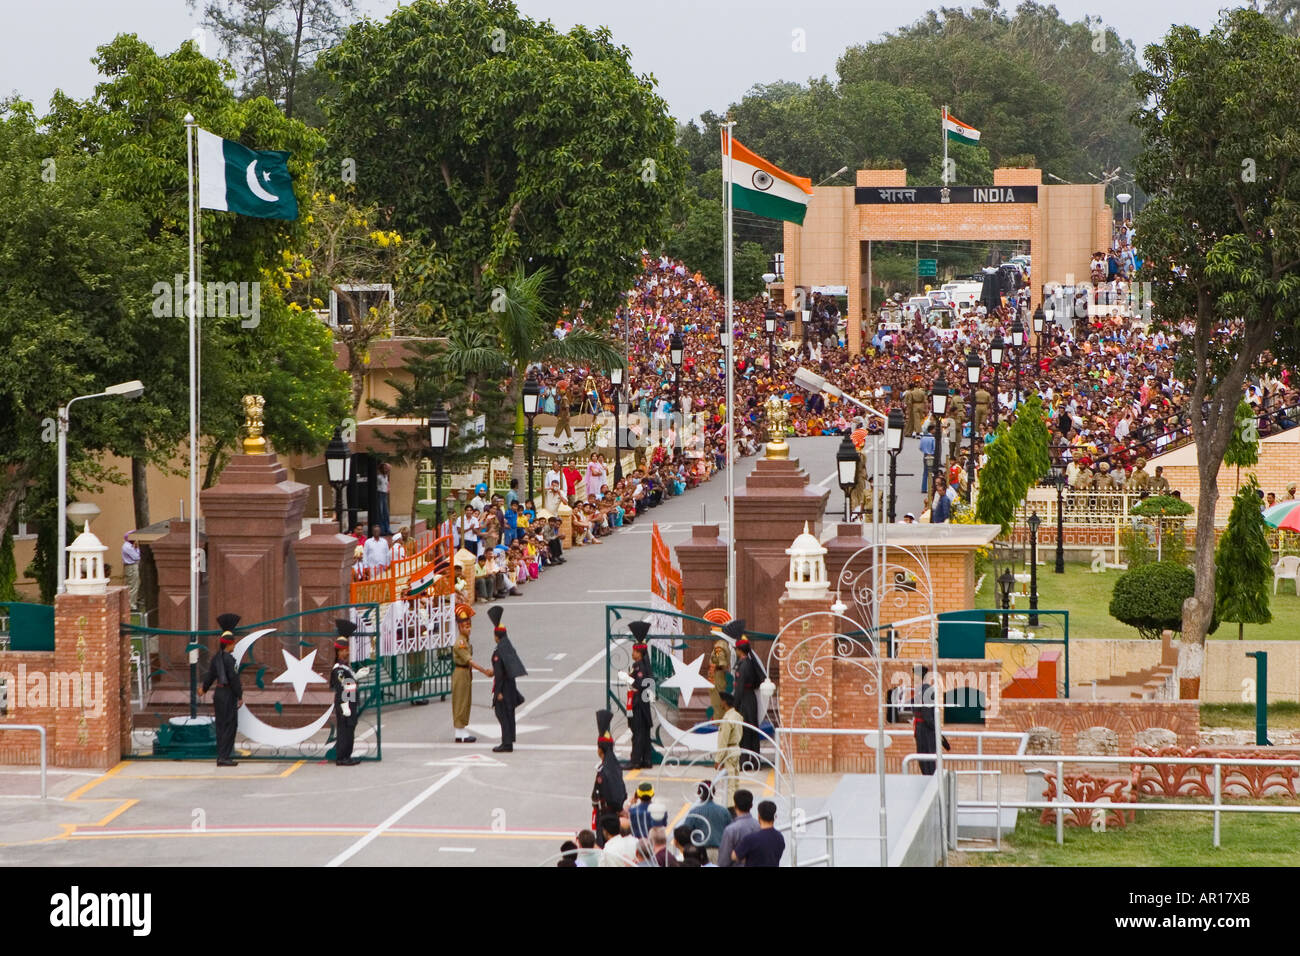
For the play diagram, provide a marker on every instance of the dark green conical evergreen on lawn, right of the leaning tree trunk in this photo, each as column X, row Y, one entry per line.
column 1243, row 564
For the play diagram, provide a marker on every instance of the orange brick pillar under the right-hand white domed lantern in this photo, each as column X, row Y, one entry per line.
column 805, row 687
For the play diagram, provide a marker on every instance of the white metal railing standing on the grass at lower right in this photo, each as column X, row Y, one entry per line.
column 1063, row 802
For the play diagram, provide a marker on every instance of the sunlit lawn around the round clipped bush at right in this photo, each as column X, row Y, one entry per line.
column 1087, row 598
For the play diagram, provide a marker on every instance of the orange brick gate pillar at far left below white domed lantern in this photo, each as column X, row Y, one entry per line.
column 90, row 685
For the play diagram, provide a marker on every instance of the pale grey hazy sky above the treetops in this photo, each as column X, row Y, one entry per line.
column 705, row 54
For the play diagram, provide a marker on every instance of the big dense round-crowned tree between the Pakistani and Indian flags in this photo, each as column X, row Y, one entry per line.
column 508, row 144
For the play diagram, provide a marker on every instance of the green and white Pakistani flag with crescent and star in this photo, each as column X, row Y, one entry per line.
column 253, row 183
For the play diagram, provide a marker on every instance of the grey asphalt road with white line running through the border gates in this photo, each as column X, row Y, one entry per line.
column 430, row 802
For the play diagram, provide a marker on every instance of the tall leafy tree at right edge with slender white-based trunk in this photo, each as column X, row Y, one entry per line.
column 1220, row 236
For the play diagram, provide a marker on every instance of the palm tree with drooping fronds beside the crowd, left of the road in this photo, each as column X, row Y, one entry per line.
column 522, row 323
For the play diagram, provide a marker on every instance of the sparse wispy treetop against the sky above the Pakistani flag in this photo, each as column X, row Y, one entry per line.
column 275, row 44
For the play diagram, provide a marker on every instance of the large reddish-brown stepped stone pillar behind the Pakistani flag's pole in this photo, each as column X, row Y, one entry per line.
column 253, row 517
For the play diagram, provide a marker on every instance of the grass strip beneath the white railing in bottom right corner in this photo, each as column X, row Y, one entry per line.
column 1159, row 838
